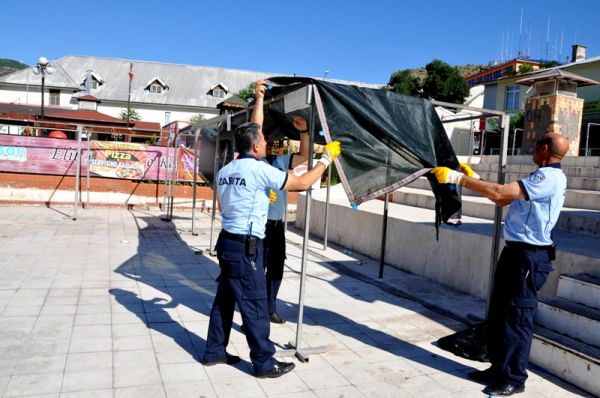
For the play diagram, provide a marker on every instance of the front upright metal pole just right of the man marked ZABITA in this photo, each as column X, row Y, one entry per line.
column 311, row 132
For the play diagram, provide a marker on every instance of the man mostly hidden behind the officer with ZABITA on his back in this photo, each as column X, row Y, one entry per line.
column 274, row 242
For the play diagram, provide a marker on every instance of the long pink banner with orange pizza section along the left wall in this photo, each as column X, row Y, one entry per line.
column 38, row 155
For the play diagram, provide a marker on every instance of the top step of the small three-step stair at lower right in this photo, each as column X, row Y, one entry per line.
column 580, row 288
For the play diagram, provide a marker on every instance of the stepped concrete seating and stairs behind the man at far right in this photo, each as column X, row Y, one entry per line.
column 567, row 335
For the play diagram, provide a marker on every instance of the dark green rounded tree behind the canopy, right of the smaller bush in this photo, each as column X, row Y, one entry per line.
column 444, row 83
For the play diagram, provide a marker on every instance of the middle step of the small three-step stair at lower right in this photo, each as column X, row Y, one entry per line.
column 569, row 318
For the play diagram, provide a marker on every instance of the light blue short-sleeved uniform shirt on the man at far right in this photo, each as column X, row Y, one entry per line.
column 531, row 220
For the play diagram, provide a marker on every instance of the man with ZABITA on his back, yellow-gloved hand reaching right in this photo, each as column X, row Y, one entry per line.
column 243, row 188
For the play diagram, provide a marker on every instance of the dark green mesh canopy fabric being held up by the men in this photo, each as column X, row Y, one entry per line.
column 388, row 139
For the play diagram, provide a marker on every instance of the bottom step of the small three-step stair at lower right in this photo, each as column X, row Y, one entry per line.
column 569, row 359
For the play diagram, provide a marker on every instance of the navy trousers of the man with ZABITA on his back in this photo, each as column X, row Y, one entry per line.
column 242, row 281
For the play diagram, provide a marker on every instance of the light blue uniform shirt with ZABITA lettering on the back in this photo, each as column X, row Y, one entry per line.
column 243, row 187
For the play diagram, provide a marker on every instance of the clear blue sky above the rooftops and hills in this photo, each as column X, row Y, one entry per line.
column 354, row 40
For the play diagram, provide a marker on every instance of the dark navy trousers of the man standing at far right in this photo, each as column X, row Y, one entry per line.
column 520, row 273
